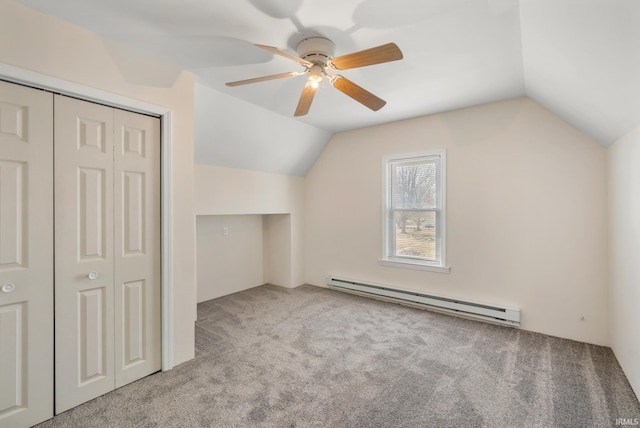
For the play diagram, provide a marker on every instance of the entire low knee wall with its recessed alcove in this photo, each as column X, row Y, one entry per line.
column 262, row 213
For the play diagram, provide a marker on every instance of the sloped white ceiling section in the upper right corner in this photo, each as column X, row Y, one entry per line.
column 582, row 61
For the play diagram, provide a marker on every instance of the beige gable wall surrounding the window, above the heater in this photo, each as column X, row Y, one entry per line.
column 525, row 213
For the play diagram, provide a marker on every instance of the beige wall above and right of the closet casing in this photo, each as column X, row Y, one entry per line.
column 46, row 45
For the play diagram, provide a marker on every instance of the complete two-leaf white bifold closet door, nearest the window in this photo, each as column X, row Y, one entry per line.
column 107, row 247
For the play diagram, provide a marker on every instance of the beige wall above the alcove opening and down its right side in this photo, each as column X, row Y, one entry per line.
column 229, row 191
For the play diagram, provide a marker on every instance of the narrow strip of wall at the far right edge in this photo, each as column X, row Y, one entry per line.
column 624, row 240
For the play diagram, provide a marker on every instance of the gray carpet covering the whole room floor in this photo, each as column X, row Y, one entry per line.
column 313, row 357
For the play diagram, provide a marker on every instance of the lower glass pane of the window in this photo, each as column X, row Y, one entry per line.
column 415, row 234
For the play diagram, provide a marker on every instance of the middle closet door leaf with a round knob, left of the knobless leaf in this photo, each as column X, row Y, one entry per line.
column 84, row 267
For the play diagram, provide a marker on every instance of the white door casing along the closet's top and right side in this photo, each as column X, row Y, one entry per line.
column 64, row 87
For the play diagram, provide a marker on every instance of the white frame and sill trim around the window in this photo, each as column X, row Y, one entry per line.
column 386, row 259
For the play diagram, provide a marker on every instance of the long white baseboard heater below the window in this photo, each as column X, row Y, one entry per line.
column 484, row 312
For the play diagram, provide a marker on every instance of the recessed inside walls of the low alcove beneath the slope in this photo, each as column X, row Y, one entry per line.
column 237, row 252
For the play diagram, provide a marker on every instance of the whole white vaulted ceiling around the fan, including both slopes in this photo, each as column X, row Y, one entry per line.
column 578, row 58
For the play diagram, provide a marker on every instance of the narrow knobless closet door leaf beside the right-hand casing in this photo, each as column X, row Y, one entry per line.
column 137, row 246
